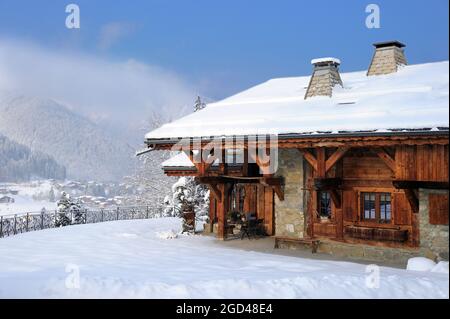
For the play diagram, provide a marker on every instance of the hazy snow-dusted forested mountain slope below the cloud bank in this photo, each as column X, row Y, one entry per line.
column 87, row 151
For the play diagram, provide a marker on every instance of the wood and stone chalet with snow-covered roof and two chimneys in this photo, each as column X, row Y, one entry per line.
column 358, row 163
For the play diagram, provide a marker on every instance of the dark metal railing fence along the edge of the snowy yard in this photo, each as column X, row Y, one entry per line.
column 22, row 223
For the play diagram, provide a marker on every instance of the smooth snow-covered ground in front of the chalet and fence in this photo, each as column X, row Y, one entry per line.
column 146, row 259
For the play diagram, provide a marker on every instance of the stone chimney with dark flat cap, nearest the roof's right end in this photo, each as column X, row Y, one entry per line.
column 387, row 58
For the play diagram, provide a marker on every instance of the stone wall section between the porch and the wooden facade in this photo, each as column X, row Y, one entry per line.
column 289, row 214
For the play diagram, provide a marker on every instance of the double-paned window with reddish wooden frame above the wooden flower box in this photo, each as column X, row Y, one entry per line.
column 376, row 207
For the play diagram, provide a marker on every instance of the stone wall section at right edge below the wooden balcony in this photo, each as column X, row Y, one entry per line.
column 433, row 238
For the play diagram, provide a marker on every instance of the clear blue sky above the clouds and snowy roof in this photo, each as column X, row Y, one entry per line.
column 222, row 47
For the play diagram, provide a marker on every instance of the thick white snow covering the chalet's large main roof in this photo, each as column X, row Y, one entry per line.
column 416, row 97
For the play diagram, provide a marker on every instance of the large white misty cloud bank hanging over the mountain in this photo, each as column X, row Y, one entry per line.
column 120, row 93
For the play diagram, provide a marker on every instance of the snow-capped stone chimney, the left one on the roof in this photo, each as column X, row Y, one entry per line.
column 325, row 77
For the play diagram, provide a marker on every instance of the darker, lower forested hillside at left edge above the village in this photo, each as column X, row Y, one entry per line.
column 18, row 163
